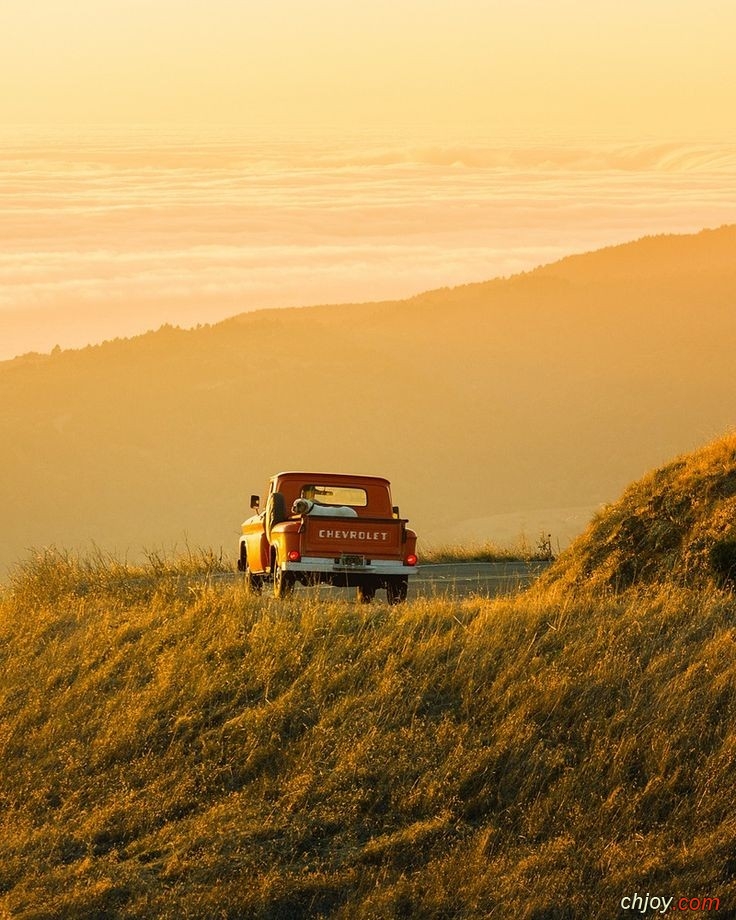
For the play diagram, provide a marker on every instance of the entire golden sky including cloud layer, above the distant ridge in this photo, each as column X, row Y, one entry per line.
column 169, row 161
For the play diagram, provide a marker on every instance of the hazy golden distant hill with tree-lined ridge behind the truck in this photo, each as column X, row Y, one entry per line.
column 530, row 400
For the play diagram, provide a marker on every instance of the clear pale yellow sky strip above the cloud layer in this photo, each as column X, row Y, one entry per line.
column 618, row 67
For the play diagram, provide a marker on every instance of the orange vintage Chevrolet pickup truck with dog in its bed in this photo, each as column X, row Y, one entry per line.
column 328, row 528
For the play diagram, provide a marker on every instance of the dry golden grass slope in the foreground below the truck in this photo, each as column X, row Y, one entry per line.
column 174, row 748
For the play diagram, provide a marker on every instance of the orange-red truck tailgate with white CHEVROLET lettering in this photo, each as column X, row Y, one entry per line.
column 371, row 538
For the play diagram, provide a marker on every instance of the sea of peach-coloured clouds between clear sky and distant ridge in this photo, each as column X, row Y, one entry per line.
column 111, row 233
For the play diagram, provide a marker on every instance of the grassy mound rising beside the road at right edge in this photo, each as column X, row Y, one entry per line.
column 677, row 524
